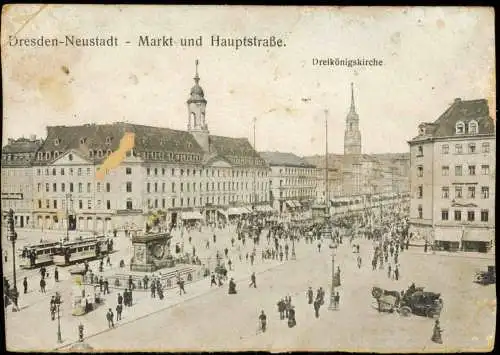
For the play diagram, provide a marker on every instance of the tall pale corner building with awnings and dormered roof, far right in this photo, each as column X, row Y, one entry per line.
column 452, row 178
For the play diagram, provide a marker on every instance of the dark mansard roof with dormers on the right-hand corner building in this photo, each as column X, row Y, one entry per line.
column 460, row 110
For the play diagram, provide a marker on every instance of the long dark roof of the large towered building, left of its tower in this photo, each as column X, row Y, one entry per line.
column 107, row 137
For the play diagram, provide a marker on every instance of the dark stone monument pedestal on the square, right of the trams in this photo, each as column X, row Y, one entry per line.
column 151, row 252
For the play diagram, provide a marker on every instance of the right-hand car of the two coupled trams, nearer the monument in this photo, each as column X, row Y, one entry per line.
column 83, row 249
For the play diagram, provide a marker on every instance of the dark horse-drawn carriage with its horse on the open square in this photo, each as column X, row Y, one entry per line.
column 414, row 301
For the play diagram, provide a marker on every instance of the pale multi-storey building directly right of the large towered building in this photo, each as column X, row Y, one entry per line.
column 292, row 181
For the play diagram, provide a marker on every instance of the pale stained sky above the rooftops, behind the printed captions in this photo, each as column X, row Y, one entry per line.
column 430, row 57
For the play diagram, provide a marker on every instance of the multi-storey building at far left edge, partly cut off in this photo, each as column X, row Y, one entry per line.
column 17, row 178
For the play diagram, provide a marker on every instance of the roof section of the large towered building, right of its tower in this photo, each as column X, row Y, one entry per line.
column 233, row 149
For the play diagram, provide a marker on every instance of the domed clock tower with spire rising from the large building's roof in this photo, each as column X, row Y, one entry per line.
column 197, row 104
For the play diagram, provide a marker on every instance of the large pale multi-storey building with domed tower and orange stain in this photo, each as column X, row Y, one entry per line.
column 175, row 174
